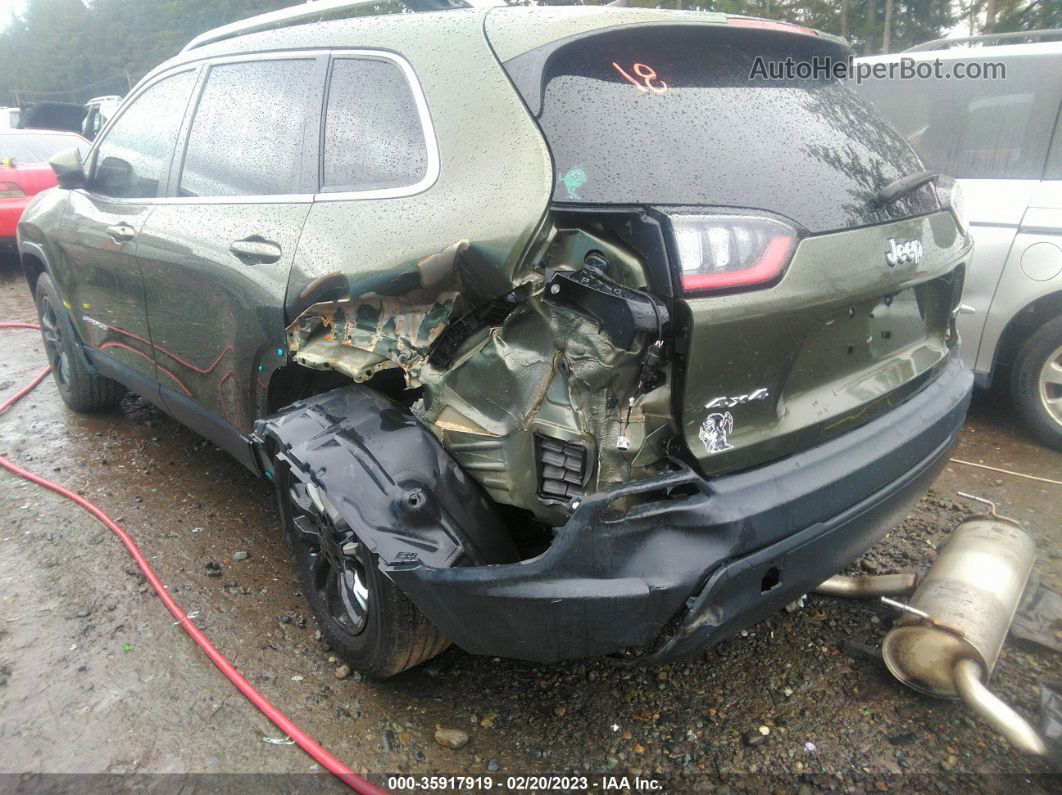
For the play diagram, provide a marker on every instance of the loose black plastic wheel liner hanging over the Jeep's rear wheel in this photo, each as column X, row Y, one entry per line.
column 389, row 478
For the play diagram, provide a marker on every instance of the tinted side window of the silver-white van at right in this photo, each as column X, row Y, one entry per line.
column 998, row 127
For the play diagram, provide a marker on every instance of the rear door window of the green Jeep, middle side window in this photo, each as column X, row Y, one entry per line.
column 247, row 136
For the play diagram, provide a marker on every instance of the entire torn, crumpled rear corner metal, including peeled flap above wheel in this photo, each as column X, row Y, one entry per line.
column 509, row 369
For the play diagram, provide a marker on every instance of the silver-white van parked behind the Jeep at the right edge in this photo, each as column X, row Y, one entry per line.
column 1002, row 139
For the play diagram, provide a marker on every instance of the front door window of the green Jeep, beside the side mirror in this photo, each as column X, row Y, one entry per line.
column 135, row 155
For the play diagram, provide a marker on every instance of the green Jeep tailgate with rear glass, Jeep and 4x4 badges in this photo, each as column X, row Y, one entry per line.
column 744, row 122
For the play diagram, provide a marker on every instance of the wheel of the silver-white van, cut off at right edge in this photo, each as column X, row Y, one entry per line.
column 1037, row 384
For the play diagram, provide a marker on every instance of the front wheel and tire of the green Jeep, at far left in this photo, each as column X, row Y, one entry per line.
column 80, row 390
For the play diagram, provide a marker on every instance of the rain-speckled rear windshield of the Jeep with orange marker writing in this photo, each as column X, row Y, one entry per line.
column 670, row 115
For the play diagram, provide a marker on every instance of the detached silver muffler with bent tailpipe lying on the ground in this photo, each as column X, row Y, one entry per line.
column 949, row 642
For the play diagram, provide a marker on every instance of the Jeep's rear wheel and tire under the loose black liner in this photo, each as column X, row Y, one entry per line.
column 334, row 569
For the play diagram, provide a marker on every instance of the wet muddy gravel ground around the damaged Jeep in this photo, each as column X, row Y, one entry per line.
column 96, row 679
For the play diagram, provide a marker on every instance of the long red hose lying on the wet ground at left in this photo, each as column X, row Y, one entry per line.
column 330, row 763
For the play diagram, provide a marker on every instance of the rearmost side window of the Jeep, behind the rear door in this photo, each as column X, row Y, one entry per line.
column 374, row 139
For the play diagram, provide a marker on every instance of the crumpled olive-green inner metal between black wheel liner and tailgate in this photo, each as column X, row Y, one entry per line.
column 552, row 372
